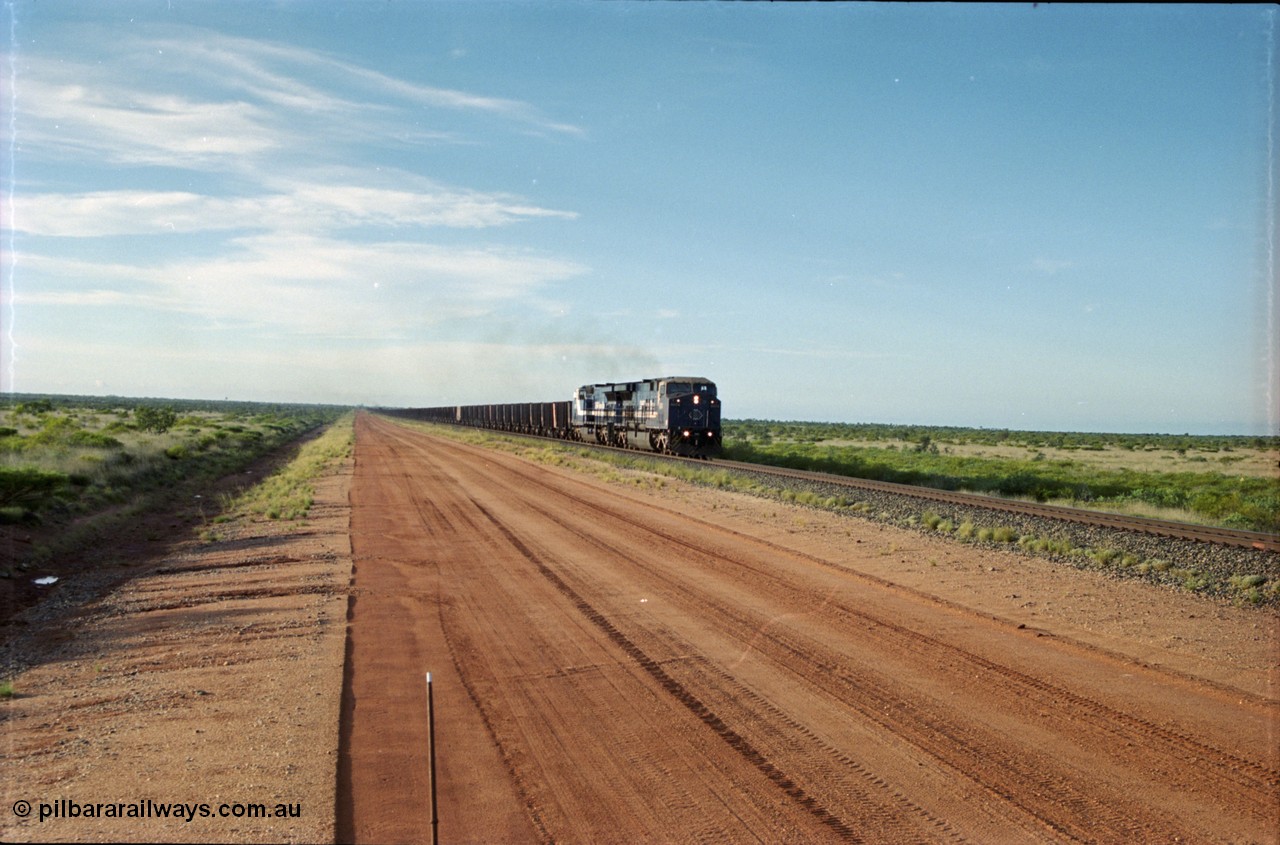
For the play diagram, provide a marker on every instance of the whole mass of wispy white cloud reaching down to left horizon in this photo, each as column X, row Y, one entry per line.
column 222, row 211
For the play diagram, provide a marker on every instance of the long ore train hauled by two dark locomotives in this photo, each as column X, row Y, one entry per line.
column 674, row 415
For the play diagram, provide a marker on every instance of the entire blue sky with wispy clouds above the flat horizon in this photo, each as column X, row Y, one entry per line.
column 1012, row 217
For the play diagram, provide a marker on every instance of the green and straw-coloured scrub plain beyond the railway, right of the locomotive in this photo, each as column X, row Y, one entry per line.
column 1219, row 481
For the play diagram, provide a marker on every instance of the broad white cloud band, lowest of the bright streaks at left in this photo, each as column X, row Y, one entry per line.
column 309, row 286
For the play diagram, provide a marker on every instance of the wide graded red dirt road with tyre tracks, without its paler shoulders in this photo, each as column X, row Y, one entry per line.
column 612, row 670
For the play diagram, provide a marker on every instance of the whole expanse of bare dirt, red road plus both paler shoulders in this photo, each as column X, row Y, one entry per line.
column 633, row 660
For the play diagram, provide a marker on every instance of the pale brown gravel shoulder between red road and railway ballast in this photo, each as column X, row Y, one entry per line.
column 1214, row 641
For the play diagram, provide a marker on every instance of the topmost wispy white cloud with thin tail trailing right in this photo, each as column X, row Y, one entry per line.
column 254, row 102
